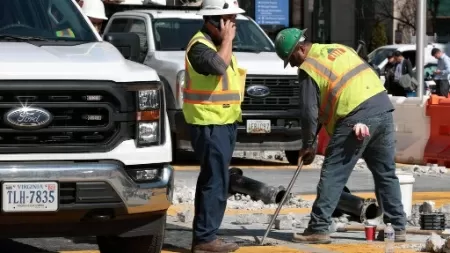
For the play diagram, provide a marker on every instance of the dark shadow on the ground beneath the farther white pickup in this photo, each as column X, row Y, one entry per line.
column 188, row 159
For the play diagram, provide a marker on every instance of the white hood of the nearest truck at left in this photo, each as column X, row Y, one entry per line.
column 91, row 61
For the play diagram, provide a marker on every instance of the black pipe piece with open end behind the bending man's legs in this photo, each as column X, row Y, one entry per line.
column 360, row 208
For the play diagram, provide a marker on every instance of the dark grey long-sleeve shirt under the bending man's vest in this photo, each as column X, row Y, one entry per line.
column 310, row 103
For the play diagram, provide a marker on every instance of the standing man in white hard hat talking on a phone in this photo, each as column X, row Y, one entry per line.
column 212, row 108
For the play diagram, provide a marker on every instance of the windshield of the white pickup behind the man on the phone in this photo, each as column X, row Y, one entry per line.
column 173, row 34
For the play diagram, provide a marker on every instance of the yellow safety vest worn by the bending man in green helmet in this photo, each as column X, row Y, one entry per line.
column 345, row 81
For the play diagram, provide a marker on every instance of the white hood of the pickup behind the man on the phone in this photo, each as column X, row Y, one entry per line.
column 265, row 63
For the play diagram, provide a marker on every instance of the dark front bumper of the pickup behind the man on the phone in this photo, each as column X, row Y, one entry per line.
column 285, row 131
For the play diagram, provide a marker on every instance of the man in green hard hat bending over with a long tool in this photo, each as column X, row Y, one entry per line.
column 341, row 92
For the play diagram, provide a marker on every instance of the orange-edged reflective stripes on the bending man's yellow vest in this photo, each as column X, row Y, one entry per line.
column 337, row 84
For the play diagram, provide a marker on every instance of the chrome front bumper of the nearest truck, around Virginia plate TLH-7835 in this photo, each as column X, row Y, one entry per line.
column 94, row 185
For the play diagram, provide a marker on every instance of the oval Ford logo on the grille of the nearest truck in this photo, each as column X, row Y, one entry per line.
column 28, row 118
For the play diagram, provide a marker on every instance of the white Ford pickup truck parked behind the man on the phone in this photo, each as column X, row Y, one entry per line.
column 271, row 99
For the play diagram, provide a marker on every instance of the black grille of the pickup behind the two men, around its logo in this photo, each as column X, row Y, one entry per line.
column 284, row 93
